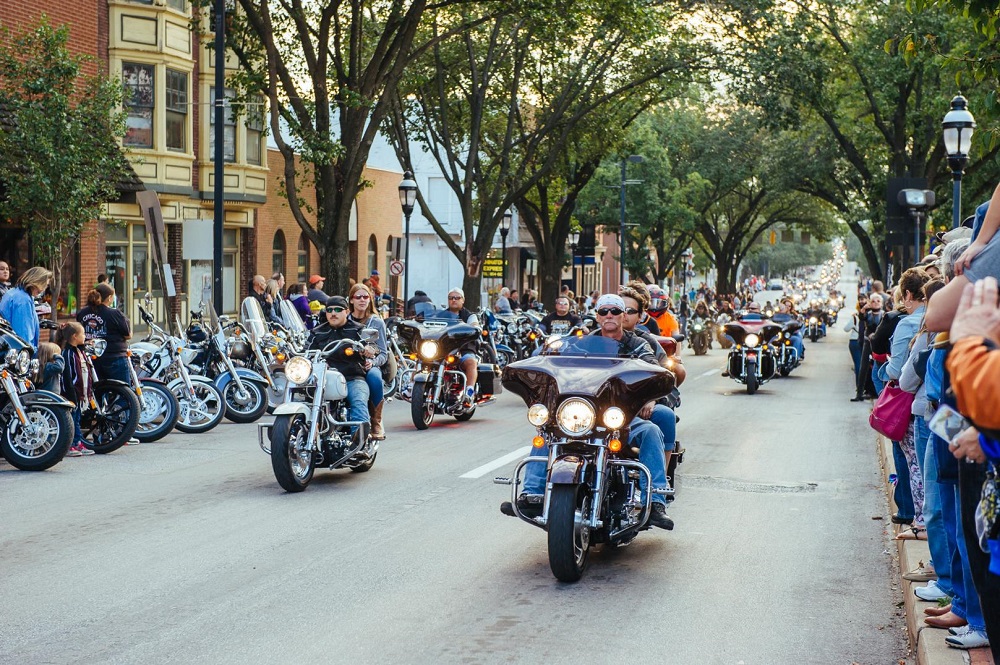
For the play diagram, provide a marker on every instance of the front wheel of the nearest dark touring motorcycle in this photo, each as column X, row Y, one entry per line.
column 569, row 535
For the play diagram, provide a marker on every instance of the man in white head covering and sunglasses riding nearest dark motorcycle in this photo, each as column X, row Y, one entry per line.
column 642, row 433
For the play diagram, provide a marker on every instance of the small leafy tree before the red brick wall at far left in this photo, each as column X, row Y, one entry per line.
column 61, row 159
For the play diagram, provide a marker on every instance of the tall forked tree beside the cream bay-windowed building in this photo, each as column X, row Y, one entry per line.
column 327, row 69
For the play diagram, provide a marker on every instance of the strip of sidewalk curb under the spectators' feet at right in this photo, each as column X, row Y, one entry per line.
column 926, row 642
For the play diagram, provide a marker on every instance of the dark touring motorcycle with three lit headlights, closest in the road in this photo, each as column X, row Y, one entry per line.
column 582, row 397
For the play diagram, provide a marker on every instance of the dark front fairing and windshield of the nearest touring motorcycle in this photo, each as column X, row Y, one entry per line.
column 587, row 366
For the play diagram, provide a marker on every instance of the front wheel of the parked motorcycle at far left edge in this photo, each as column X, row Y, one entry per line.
column 47, row 448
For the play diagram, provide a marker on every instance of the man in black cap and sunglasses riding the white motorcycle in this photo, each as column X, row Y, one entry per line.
column 338, row 326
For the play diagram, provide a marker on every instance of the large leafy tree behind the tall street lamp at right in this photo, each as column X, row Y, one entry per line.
column 864, row 113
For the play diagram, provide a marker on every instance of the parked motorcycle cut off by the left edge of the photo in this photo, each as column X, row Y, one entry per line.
column 36, row 426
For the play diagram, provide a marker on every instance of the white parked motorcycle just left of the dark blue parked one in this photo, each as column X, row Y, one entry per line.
column 159, row 356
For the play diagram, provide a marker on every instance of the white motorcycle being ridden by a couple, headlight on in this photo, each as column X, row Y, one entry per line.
column 311, row 427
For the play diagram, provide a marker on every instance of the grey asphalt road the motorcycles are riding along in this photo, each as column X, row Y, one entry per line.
column 187, row 551
